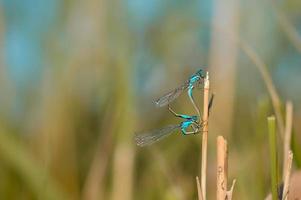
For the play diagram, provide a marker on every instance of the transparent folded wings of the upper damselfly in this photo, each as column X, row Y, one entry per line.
column 171, row 96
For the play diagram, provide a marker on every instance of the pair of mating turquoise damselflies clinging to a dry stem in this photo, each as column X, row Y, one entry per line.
column 191, row 124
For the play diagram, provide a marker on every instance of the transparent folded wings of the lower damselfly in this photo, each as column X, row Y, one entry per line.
column 151, row 137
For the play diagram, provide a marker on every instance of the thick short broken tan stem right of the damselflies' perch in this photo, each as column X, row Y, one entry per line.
column 221, row 171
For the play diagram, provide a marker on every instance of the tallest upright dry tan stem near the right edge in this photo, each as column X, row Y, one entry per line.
column 287, row 134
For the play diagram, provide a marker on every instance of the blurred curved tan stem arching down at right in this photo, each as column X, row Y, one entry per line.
column 268, row 82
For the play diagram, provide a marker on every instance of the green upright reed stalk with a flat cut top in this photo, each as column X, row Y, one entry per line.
column 273, row 156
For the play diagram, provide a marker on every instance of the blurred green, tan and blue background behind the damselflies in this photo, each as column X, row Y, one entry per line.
column 79, row 78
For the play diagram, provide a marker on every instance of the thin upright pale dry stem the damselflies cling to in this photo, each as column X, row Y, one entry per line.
column 205, row 135
